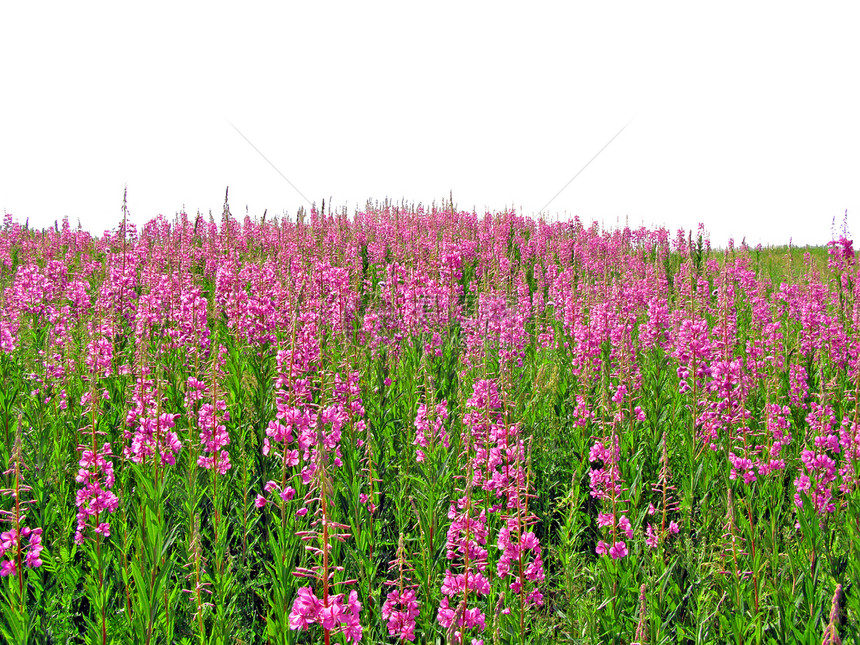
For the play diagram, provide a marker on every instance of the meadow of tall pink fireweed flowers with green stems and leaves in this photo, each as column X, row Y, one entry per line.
column 428, row 426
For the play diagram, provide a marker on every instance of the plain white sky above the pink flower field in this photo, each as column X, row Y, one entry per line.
column 745, row 116
